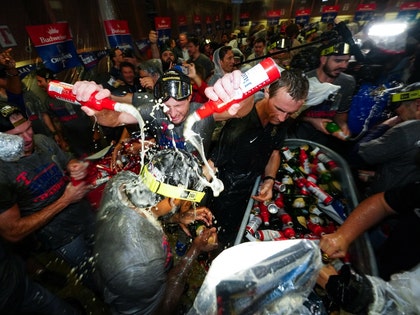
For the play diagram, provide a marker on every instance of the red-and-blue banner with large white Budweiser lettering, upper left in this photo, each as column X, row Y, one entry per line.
column 54, row 44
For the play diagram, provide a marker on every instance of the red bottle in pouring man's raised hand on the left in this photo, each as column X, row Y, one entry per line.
column 64, row 91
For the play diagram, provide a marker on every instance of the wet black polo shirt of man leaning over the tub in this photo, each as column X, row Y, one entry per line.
column 241, row 155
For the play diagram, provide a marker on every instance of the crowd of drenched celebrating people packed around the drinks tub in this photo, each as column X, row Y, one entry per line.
column 44, row 202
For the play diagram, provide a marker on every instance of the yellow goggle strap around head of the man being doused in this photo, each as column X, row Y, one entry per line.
column 169, row 190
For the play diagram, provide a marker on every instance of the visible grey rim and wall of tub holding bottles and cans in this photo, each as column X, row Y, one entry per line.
column 360, row 251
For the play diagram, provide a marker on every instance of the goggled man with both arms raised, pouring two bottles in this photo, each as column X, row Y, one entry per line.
column 165, row 119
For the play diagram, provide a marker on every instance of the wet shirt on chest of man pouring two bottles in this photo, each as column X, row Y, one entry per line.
column 168, row 135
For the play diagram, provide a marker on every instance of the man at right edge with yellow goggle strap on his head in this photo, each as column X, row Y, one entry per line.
column 391, row 146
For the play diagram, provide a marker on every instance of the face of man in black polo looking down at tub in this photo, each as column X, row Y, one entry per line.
column 281, row 106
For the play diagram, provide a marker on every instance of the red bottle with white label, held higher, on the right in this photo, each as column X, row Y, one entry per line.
column 253, row 80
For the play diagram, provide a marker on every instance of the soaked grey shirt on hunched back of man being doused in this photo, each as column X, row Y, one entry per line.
column 132, row 252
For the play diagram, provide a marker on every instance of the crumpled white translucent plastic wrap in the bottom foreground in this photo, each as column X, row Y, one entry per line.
column 260, row 278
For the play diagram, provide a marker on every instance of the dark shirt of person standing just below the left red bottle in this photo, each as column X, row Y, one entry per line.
column 77, row 126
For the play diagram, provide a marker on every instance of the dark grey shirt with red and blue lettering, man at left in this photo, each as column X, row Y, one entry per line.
column 36, row 181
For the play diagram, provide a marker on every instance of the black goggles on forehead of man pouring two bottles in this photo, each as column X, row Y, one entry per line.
column 172, row 85
